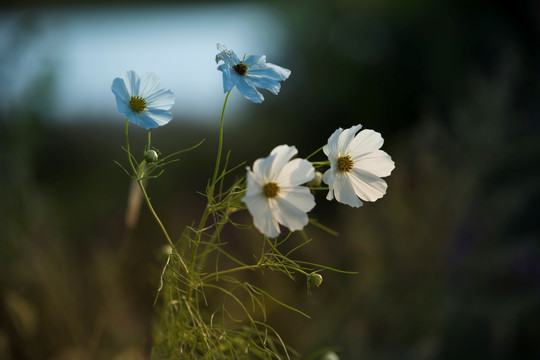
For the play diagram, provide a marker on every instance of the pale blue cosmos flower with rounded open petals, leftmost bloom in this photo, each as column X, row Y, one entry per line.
column 140, row 100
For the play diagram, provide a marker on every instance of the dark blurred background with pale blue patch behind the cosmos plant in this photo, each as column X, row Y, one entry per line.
column 448, row 261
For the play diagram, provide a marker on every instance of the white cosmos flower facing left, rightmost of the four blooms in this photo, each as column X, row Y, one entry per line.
column 357, row 166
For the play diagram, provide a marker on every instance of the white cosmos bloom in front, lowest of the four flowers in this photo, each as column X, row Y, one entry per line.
column 274, row 195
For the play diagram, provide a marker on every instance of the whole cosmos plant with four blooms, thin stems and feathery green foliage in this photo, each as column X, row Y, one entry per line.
column 208, row 309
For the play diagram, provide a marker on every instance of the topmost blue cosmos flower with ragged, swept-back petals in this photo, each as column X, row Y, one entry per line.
column 250, row 73
